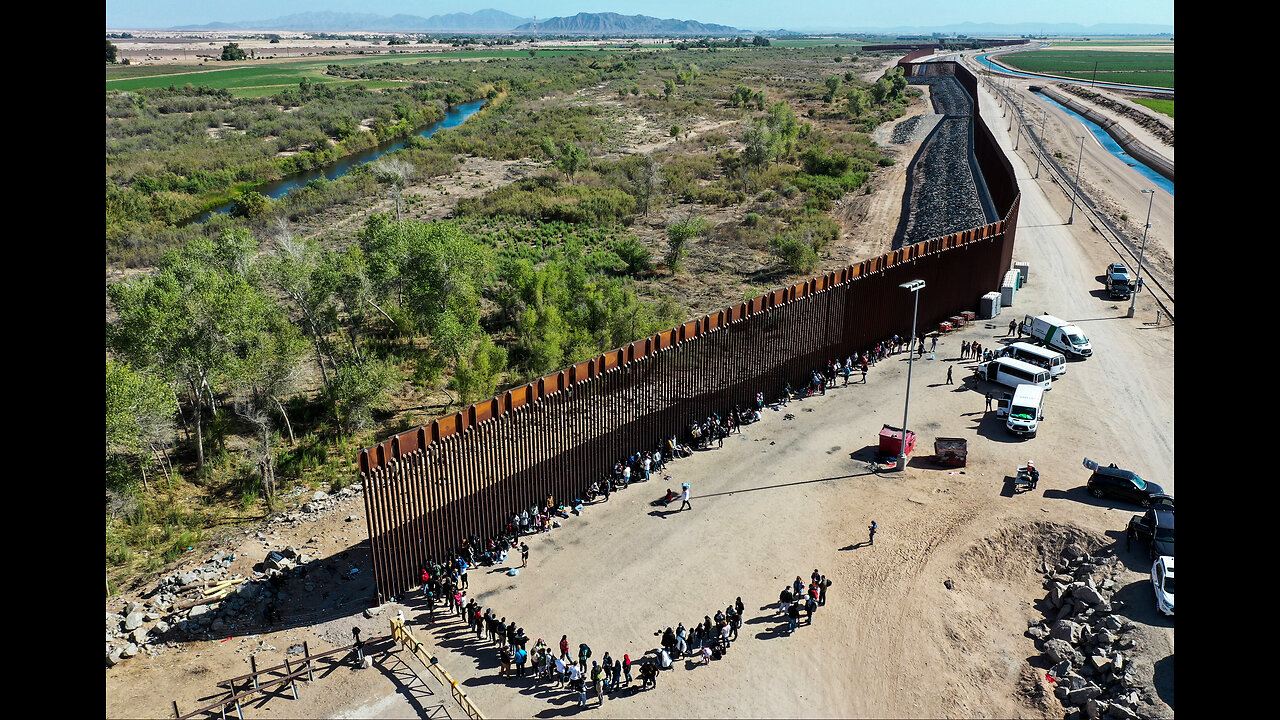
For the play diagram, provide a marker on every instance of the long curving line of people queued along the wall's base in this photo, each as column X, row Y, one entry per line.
column 708, row 640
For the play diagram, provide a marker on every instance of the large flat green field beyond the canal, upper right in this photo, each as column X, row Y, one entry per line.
column 1154, row 70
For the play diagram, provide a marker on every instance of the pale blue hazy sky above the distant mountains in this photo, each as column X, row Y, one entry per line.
column 748, row 15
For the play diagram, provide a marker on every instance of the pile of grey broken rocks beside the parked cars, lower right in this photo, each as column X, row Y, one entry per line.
column 1089, row 648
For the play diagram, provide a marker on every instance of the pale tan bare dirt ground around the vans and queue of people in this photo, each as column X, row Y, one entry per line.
column 787, row 496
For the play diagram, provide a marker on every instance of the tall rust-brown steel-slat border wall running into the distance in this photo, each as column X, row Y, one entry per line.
column 467, row 473
